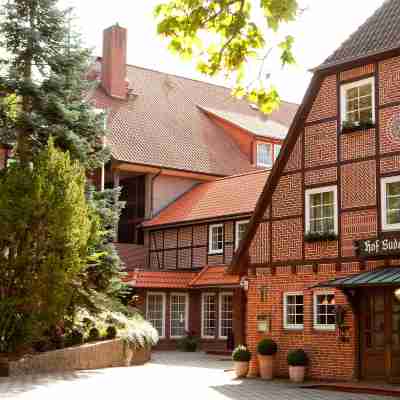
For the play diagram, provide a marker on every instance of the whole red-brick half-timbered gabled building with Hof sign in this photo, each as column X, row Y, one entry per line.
column 328, row 219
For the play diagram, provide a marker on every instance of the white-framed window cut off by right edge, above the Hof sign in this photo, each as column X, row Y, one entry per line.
column 390, row 203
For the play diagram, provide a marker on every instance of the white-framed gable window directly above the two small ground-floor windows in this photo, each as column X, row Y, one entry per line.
column 321, row 210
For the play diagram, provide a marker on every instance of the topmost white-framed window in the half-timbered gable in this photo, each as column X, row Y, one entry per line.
column 358, row 102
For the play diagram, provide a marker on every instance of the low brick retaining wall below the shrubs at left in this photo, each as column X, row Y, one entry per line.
column 110, row 353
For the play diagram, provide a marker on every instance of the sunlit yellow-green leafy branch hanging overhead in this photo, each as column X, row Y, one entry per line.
column 224, row 35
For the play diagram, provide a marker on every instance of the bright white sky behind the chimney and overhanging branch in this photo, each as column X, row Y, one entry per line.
column 321, row 28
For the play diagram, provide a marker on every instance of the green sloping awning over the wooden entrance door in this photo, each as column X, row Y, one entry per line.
column 379, row 277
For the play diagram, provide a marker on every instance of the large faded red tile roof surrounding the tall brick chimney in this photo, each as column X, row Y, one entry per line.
column 161, row 125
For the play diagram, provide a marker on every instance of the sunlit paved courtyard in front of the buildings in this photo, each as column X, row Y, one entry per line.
column 169, row 375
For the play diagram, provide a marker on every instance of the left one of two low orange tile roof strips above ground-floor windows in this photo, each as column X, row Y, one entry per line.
column 160, row 279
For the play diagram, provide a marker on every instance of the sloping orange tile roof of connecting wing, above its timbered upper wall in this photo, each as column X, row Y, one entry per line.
column 222, row 197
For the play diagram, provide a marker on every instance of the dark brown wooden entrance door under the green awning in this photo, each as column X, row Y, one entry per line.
column 380, row 335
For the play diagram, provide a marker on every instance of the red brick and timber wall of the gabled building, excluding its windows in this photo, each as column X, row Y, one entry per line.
column 355, row 163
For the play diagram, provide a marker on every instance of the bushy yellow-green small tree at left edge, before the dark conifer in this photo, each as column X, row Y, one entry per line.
column 46, row 227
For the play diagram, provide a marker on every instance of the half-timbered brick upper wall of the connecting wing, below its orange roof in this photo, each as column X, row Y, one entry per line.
column 186, row 247
